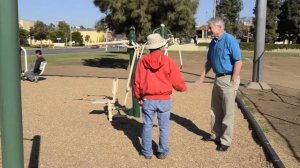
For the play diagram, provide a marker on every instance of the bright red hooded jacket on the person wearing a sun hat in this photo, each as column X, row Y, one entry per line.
column 155, row 76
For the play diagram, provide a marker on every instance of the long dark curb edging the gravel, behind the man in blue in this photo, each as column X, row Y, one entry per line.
column 277, row 163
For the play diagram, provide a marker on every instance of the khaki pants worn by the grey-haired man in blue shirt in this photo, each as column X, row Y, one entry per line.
column 222, row 109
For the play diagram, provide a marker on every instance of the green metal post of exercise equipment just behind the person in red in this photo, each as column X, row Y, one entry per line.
column 135, row 110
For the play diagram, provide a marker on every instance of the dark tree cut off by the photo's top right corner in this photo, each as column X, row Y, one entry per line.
column 289, row 21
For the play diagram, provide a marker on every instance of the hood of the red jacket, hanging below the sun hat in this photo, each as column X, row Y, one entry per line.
column 154, row 60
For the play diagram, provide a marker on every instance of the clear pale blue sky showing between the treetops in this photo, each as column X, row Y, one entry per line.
column 85, row 13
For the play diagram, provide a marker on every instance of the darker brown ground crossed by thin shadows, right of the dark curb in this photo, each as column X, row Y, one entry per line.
column 279, row 109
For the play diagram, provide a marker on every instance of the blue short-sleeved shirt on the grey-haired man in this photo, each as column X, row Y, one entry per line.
column 223, row 52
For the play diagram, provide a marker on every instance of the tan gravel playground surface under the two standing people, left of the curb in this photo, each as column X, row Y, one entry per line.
column 62, row 128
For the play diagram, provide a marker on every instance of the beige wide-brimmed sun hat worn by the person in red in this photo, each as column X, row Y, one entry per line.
column 155, row 41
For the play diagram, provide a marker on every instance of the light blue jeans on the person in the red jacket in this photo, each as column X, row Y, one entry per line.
column 163, row 109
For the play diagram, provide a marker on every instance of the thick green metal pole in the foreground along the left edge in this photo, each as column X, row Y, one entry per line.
column 10, row 90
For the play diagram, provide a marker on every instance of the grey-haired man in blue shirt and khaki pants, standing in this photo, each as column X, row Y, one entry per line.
column 224, row 57
